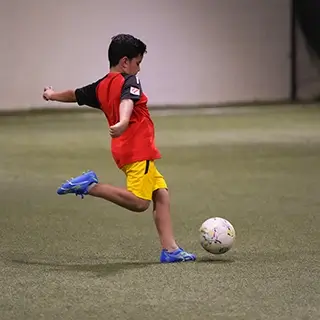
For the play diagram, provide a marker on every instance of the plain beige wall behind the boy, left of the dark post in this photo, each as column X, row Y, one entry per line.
column 199, row 51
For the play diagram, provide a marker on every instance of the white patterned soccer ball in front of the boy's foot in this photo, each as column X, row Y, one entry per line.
column 217, row 235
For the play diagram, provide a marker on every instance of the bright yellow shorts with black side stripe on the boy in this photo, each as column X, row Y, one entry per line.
column 143, row 179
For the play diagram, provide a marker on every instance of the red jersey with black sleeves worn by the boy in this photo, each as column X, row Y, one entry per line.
column 137, row 143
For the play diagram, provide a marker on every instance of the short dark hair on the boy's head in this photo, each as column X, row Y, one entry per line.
column 125, row 45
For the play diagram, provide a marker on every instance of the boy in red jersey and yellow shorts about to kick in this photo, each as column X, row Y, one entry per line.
column 120, row 97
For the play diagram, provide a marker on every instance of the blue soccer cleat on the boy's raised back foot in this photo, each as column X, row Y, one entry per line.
column 79, row 185
